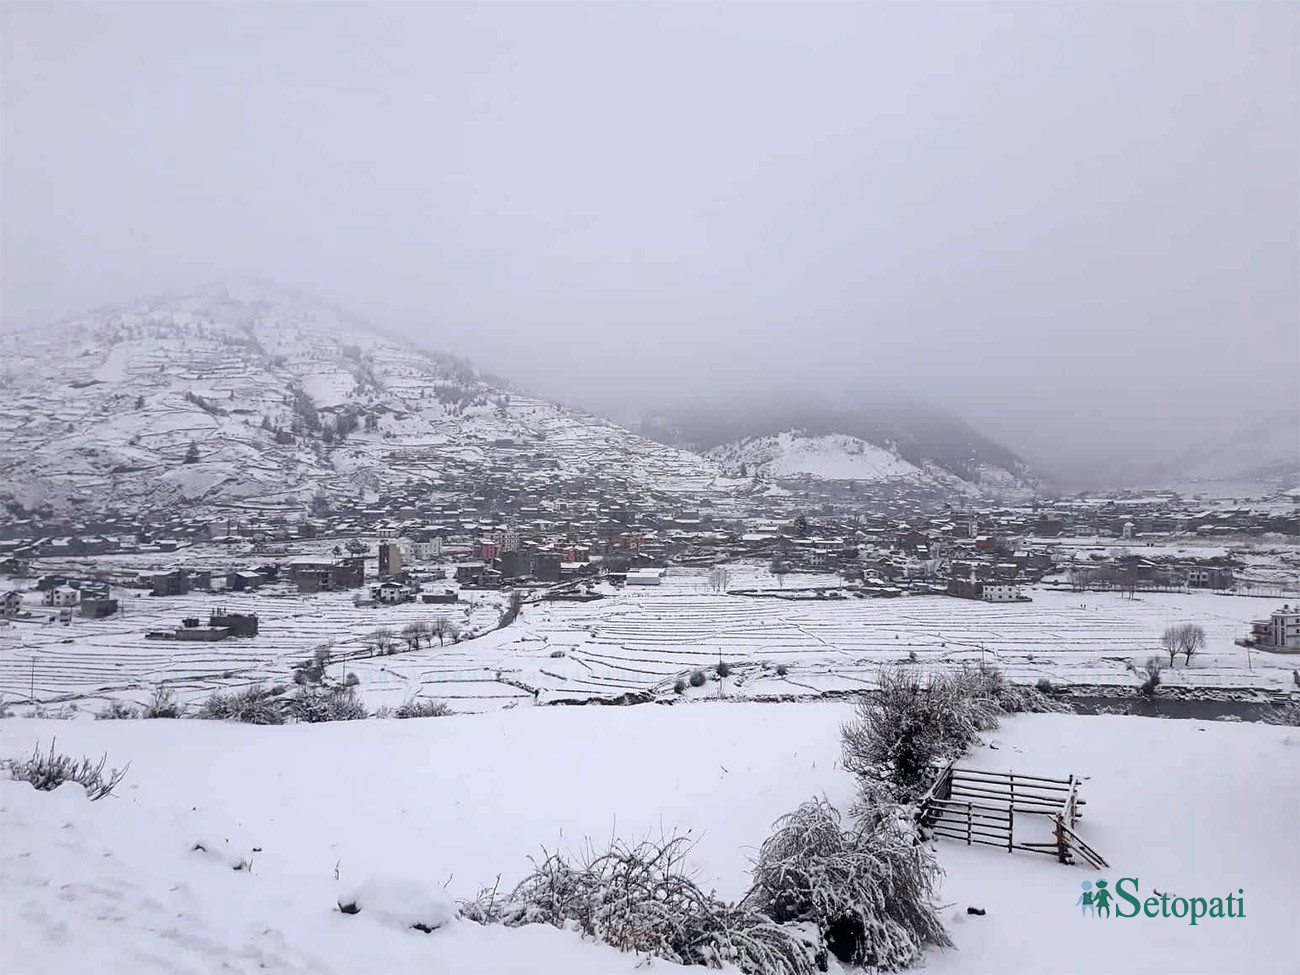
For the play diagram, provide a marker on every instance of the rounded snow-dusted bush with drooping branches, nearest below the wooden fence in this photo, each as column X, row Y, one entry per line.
column 870, row 890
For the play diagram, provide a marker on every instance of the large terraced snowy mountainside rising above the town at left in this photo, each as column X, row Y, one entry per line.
column 261, row 398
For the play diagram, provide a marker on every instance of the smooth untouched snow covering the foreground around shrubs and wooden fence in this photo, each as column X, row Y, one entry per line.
column 445, row 805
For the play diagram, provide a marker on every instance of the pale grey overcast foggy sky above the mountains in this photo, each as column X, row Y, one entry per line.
column 1076, row 224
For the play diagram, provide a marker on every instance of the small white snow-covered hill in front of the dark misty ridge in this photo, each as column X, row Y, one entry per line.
column 837, row 457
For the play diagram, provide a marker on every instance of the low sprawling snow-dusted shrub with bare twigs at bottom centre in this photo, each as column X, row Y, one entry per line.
column 642, row 899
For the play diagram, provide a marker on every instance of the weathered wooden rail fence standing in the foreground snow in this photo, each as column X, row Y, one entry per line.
column 981, row 808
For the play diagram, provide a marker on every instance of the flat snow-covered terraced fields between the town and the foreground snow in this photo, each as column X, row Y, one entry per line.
column 640, row 640
